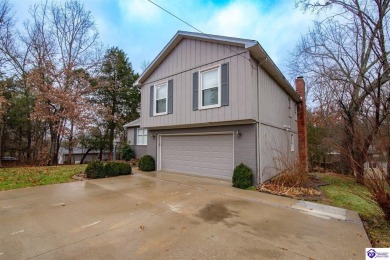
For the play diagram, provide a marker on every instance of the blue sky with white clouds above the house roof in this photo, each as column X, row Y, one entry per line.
column 142, row 29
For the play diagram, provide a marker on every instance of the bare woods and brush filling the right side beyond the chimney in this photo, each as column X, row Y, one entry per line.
column 345, row 57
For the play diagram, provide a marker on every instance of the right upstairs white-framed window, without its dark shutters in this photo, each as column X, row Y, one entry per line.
column 210, row 88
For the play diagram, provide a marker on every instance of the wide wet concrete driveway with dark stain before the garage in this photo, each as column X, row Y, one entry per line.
column 170, row 216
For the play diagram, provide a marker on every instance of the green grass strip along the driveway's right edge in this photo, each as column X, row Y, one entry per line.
column 344, row 192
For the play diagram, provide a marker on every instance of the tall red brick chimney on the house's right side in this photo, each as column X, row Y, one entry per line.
column 302, row 130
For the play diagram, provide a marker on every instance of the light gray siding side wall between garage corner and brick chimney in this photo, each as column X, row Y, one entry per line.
column 274, row 139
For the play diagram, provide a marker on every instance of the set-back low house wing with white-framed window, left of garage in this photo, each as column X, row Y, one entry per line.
column 137, row 137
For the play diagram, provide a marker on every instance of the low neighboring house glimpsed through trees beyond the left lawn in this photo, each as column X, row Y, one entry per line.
column 78, row 153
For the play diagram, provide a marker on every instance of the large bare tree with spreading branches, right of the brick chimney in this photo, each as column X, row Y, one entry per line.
column 346, row 56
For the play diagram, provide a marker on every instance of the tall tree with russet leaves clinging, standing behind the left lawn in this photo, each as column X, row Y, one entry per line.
column 63, row 38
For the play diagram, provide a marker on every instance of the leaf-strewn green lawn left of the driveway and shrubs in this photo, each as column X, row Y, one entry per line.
column 22, row 177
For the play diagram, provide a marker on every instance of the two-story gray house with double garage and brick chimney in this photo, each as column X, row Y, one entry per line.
column 212, row 102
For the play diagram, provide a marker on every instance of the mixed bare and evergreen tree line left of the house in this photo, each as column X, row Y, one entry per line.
column 58, row 87
